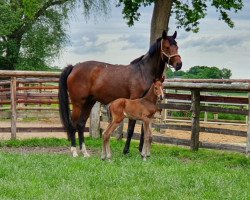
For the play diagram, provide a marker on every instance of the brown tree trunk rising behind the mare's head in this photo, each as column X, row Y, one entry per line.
column 160, row 18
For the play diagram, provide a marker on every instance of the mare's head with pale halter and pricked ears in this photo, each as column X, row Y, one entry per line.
column 169, row 50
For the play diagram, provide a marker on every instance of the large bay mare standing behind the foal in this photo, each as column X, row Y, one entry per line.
column 91, row 81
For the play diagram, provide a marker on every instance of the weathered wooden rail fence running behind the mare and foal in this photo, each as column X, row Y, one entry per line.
column 21, row 90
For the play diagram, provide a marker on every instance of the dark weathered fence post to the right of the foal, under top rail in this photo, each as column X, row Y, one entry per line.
column 195, row 108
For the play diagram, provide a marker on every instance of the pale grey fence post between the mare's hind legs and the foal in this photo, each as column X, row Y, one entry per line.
column 94, row 129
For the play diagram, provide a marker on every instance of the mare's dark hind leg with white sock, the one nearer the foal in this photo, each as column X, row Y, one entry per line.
column 86, row 109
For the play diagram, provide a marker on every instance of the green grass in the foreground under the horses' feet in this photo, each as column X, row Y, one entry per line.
column 170, row 173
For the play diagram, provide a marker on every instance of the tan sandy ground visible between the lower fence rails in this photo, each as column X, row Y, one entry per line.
column 204, row 137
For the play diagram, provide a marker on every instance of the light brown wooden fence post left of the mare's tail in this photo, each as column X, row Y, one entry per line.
column 13, row 107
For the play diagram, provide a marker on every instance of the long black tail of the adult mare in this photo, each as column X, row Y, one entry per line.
column 64, row 100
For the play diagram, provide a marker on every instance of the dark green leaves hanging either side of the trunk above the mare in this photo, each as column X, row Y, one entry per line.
column 187, row 13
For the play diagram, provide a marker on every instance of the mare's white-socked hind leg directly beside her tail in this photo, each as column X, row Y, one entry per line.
column 76, row 112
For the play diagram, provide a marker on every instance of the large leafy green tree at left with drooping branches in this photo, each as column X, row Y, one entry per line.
column 32, row 32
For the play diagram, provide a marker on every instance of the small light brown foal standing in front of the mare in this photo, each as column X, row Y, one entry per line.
column 137, row 109
